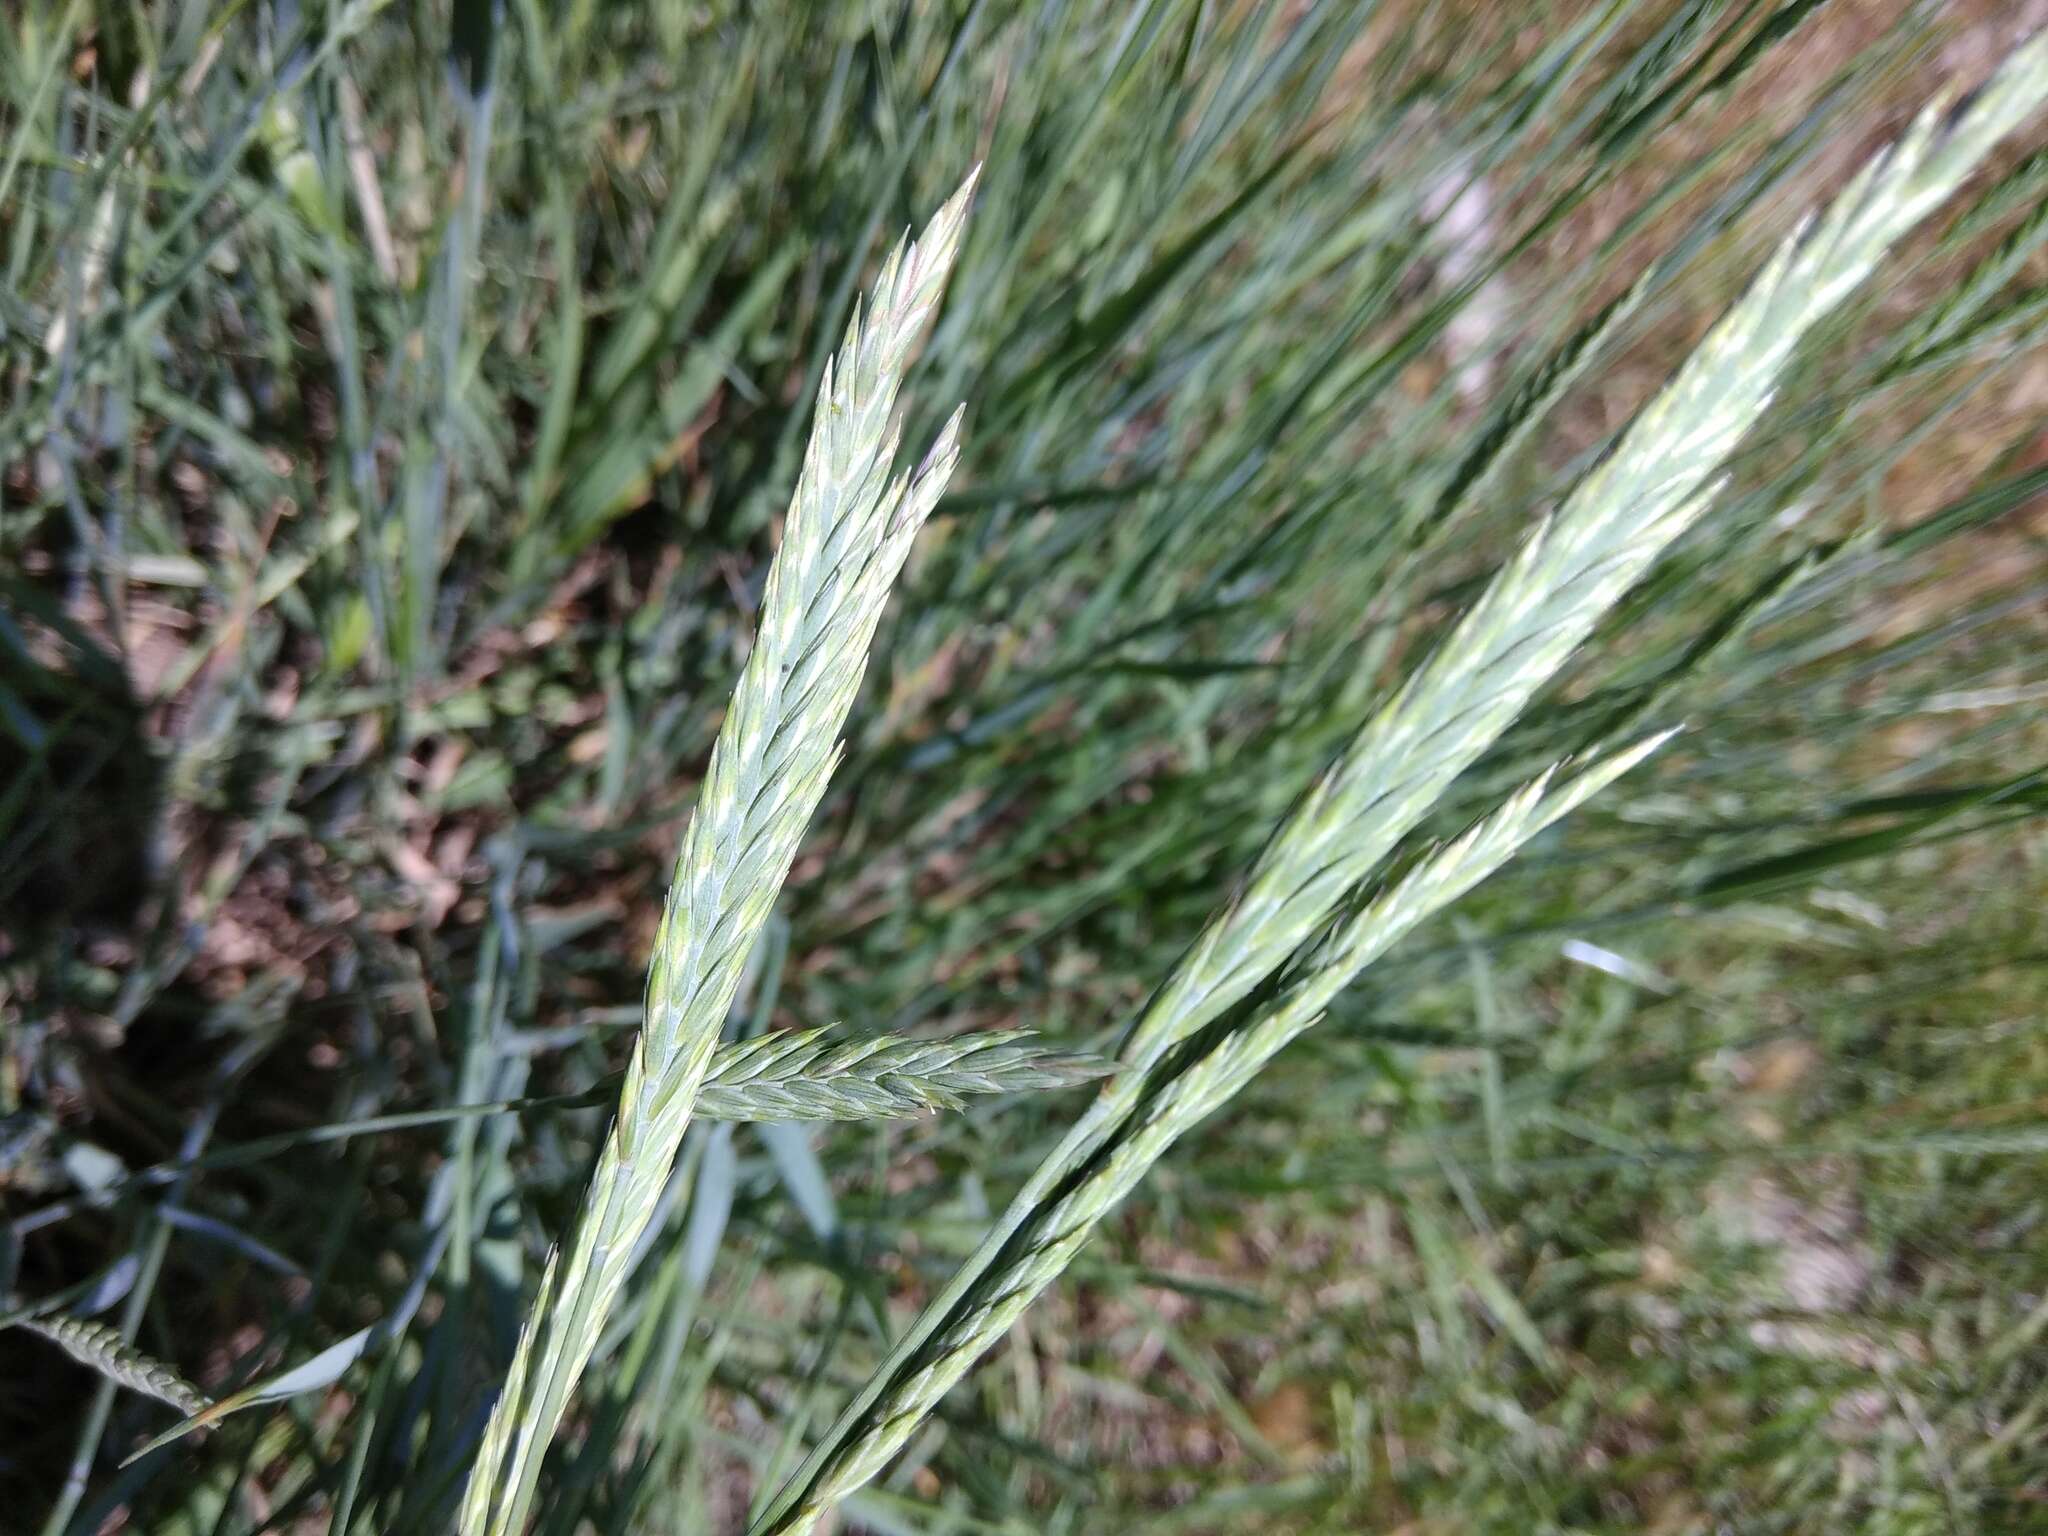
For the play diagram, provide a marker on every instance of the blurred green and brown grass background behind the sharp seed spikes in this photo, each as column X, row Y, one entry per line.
column 396, row 413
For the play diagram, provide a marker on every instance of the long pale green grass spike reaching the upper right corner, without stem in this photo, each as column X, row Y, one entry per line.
column 1572, row 570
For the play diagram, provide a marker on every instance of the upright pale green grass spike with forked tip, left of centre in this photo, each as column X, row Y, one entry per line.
column 843, row 546
